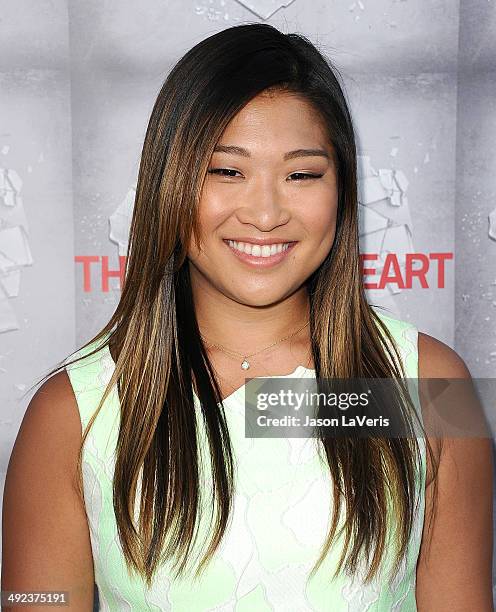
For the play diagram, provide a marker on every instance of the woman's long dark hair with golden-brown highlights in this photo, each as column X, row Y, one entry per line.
column 155, row 334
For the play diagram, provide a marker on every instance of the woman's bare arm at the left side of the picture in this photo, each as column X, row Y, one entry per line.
column 45, row 537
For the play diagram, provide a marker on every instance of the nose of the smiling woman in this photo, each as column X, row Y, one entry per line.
column 264, row 205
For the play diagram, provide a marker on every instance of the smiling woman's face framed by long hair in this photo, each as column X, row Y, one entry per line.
column 271, row 178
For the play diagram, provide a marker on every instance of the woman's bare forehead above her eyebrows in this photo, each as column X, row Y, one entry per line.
column 282, row 119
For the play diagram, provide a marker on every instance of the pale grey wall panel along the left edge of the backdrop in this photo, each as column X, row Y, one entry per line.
column 37, row 291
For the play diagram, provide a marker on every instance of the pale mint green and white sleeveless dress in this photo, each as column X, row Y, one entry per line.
column 281, row 512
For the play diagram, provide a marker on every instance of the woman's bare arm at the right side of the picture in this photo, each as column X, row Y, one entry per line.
column 454, row 571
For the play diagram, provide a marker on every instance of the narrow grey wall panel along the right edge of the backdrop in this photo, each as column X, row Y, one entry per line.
column 476, row 189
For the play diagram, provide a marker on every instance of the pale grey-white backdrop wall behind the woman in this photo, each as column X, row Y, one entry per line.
column 77, row 83
